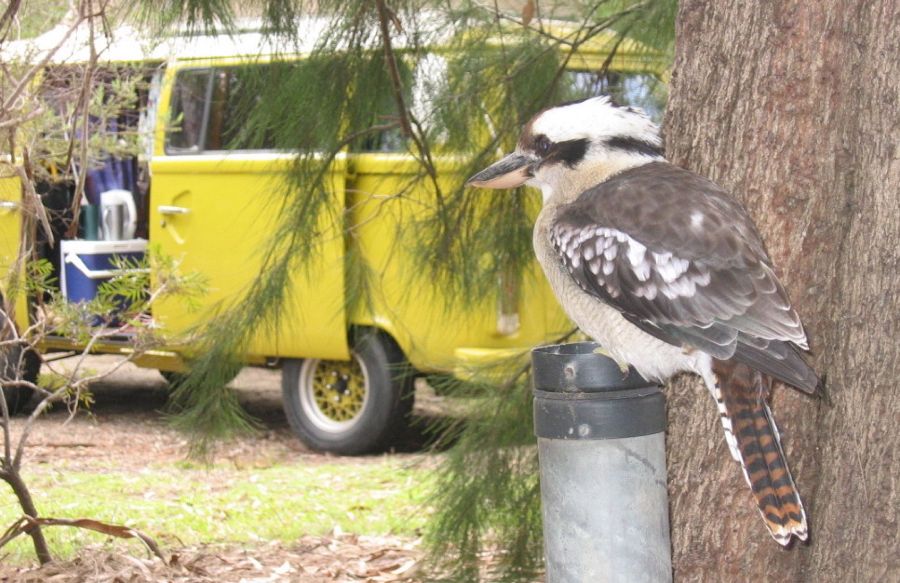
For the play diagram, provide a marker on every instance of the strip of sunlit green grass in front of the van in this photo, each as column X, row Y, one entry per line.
column 177, row 503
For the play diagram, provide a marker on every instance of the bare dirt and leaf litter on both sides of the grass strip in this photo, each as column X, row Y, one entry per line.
column 127, row 411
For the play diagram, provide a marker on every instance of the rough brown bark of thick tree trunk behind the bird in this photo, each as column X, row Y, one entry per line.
column 794, row 107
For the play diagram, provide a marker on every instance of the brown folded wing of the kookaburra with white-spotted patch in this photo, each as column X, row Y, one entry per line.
column 678, row 257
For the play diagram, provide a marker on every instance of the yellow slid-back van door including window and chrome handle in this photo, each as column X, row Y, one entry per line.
column 214, row 210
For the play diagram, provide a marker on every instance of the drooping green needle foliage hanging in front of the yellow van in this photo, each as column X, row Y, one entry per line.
column 449, row 83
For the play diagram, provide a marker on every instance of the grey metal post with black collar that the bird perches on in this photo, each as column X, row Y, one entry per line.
column 603, row 468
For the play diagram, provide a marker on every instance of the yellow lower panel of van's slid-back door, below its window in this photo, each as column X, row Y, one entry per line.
column 215, row 213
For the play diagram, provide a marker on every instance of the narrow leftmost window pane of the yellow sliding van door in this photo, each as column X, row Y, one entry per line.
column 189, row 103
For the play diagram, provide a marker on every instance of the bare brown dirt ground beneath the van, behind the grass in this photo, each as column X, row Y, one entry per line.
column 127, row 410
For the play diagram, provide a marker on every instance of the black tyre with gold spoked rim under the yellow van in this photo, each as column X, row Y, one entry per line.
column 372, row 397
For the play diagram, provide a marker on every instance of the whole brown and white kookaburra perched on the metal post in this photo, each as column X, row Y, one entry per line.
column 667, row 273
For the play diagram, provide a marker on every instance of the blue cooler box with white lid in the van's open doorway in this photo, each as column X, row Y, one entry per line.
column 87, row 264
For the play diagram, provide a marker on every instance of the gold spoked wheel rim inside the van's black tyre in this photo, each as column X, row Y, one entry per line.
column 333, row 393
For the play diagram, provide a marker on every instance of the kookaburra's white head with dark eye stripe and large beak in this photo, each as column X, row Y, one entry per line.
column 575, row 145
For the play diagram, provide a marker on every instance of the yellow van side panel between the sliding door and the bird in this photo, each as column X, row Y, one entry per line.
column 412, row 309
